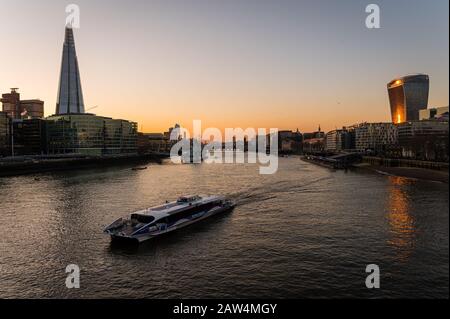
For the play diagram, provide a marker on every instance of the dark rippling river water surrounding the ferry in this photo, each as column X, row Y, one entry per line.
column 305, row 232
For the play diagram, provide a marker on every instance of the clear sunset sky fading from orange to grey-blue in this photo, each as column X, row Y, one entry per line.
column 230, row 63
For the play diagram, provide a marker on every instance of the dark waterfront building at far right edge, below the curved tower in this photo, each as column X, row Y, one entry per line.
column 424, row 140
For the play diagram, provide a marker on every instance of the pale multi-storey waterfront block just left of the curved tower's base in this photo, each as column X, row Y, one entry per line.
column 375, row 137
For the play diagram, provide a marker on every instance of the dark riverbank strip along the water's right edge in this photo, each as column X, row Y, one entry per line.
column 408, row 172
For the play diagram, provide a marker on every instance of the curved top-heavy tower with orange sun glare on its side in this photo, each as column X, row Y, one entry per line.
column 408, row 95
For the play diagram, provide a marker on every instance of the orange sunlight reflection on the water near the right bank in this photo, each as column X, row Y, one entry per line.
column 401, row 222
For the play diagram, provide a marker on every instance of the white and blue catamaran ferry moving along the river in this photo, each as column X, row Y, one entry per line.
column 152, row 222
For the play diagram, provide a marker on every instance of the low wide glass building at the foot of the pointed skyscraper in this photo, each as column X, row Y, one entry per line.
column 89, row 134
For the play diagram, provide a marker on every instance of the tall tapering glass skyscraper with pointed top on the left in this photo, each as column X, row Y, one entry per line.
column 70, row 95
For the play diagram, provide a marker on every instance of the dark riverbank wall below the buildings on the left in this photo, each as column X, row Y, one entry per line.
column 33, row 165
